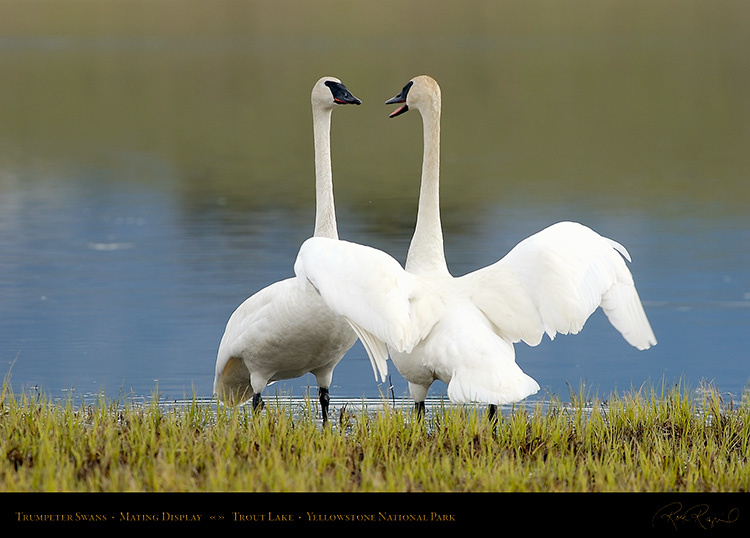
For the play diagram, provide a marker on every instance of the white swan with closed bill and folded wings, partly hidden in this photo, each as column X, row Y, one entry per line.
column 283, row 331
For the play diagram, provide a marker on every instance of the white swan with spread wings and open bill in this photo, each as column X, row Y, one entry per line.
column 462, row 330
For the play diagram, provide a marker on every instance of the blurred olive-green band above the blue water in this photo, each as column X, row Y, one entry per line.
column 638, row 104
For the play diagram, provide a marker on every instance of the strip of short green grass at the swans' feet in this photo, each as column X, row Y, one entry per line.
column 664, row 442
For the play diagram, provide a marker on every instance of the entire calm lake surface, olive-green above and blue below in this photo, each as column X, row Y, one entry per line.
column 155, row 170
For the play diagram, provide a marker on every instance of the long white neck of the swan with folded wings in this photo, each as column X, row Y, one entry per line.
column 325, row 212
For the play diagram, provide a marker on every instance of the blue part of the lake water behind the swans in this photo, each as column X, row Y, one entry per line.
column 118, row 288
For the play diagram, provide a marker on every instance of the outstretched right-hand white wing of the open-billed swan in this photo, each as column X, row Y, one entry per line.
column 554, row 280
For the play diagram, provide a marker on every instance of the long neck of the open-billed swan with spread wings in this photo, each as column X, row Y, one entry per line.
column 426, row 253
